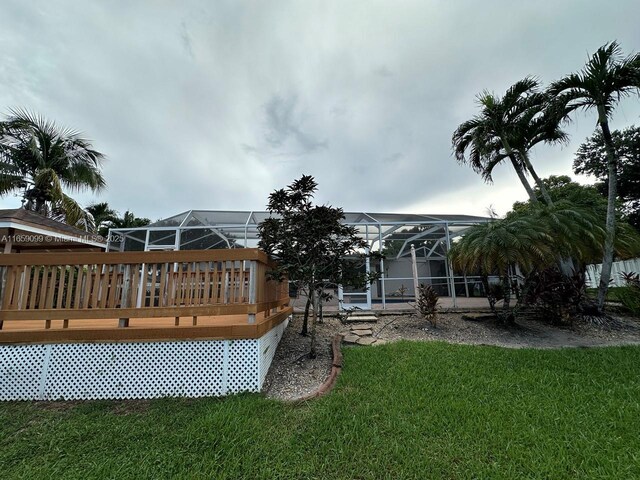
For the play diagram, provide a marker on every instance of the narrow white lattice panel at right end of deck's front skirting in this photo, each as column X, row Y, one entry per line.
column 242, row 375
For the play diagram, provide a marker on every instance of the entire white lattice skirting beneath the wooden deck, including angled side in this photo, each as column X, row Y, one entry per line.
column 82, row 371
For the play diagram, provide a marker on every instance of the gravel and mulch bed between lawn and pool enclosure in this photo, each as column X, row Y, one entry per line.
column 294, row 375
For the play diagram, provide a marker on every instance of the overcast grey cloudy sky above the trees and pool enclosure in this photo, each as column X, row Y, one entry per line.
column 214, row 104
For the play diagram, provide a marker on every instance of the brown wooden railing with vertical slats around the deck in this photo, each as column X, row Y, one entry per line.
column 124, row 285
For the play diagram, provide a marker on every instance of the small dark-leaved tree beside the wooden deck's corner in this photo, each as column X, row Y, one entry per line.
column 312, row 246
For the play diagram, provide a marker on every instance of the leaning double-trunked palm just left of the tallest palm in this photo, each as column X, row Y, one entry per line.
column 508, row 128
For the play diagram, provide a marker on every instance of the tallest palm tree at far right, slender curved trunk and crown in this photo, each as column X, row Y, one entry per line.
column 606, row 78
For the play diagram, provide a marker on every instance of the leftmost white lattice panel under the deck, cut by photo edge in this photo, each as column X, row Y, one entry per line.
column 20, row 371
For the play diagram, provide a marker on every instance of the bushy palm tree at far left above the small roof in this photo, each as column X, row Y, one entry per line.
column 40, row 160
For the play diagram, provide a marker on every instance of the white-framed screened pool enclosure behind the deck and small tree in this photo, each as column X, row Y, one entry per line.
column 389, row 233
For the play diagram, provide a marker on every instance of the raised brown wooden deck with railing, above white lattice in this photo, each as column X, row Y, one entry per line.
column 213, row 294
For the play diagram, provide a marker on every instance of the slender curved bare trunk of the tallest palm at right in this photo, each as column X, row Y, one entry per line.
column 612, row 164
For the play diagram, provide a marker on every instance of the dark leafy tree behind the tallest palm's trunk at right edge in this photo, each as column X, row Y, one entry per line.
column 591, row 159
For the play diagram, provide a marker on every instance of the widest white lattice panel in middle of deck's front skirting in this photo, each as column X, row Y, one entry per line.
column 136, row 370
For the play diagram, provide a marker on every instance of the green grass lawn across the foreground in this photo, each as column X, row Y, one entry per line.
column 404, row 410
